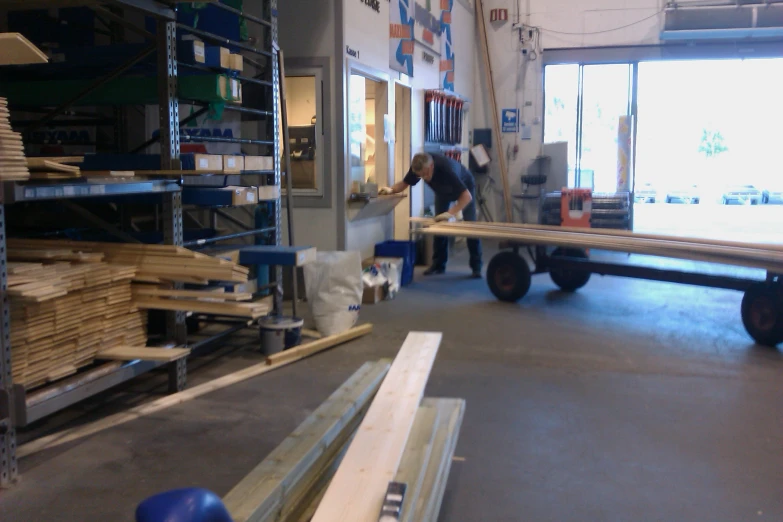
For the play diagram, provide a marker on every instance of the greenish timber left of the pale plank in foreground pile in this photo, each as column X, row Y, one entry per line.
column 270, row 484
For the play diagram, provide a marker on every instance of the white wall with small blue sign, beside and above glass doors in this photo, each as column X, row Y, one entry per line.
column 518, row 81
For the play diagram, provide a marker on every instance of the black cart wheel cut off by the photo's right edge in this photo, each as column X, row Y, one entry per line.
column 762, row 314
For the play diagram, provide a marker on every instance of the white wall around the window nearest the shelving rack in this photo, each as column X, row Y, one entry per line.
column 308, row 29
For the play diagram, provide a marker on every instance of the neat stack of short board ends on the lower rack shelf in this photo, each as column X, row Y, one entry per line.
column 63, row 314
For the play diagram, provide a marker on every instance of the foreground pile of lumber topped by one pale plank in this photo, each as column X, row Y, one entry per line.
column 338, row 463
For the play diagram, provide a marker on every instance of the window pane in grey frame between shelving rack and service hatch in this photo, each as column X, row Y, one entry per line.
column 303, row 103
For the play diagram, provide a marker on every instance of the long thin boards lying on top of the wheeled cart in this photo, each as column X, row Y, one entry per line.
column 753, row 255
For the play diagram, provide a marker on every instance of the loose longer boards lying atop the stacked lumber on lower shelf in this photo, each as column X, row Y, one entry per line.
column 156, row 268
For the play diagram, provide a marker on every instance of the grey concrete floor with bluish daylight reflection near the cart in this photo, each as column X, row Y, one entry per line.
column 629, row 400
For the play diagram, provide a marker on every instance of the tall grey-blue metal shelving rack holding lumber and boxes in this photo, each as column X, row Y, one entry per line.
column 17, row 407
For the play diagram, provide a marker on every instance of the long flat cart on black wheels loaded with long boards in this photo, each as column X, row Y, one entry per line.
column 563, row 253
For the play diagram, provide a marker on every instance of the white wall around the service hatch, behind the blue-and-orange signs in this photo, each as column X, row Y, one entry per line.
column 366, row 31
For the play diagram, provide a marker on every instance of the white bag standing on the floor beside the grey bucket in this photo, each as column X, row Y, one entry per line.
column 334, row 290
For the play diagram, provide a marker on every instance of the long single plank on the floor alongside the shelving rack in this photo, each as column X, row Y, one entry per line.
column 85, row 430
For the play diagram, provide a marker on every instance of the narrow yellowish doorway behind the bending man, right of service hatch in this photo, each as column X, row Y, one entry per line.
column 402, row 156
